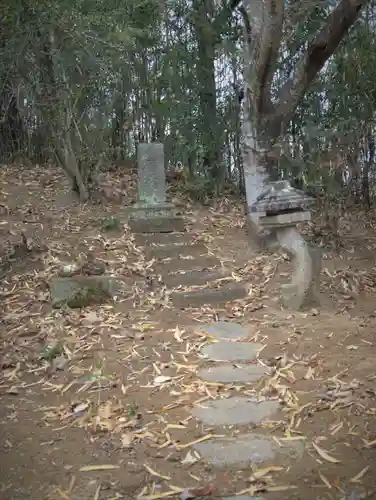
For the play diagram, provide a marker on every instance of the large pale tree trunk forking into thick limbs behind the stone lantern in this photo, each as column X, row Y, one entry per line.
column 263, row 119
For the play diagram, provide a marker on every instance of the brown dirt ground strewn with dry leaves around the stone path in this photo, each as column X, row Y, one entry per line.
column 107, row 416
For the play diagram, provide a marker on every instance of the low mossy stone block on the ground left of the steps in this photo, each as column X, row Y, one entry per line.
column 81, row 291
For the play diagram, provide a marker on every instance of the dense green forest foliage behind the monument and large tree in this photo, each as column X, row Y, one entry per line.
column 99, row 76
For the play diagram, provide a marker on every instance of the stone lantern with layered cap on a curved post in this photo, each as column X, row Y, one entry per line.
column 279, row 209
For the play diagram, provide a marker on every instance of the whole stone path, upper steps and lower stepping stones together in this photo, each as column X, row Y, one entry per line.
column 229, row 356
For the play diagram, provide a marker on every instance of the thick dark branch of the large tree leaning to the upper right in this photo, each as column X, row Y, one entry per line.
column 318, row 52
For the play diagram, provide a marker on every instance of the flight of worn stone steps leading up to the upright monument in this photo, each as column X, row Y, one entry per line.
column 184, row 266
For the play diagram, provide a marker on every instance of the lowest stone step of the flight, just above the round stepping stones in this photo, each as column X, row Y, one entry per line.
column 214, row 296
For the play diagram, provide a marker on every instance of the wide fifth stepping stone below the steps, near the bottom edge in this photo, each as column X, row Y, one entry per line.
column 247, row 449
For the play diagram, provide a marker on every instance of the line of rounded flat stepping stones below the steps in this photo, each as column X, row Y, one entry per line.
column 243, row 448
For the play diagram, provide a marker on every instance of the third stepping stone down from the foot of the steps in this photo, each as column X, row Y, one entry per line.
column 229, row 374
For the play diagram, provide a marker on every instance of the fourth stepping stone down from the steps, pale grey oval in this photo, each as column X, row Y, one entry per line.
column 234, row 411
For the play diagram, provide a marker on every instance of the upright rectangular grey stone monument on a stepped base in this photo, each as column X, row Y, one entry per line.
column 152, row 213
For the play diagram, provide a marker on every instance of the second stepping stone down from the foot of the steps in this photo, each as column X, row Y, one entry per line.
column 231, row 351
